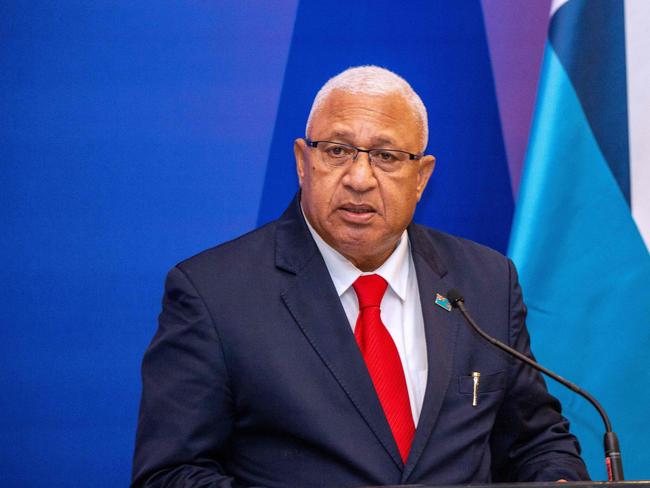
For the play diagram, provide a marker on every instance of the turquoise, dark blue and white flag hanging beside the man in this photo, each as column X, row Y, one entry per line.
column 582, row 224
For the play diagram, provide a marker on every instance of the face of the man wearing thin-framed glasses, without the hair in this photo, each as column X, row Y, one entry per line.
column 359, row 210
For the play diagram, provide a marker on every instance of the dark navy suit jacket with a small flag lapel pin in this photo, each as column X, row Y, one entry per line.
column 254, row 377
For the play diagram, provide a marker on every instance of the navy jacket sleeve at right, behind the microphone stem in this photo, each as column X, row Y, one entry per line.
column 531, row 439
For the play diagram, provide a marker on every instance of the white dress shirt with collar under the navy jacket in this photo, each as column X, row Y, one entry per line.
column 401, row 310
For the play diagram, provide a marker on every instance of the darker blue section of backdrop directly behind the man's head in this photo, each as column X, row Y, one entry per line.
column 442, row 52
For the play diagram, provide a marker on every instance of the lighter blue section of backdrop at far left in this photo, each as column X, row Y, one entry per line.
column 132, row 135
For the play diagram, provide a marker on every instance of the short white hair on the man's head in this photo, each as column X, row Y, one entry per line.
column 373, row 80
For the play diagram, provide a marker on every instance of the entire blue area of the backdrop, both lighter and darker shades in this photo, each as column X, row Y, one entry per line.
column 135, row 134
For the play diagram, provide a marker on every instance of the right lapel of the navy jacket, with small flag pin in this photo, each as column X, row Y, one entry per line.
column 440, row 327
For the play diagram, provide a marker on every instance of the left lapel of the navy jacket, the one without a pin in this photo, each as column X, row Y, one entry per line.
column 314, row 303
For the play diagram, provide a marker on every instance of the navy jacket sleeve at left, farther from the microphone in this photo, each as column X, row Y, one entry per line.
column 186, row 410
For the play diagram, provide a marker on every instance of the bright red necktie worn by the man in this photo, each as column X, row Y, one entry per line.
column 382, row 360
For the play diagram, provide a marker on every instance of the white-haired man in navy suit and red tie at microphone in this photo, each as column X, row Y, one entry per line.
column 319, row 350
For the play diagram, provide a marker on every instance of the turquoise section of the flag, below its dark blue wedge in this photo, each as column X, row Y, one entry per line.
column 585, row 273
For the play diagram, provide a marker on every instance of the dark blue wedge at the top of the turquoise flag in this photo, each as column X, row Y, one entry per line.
column 589, row 38
